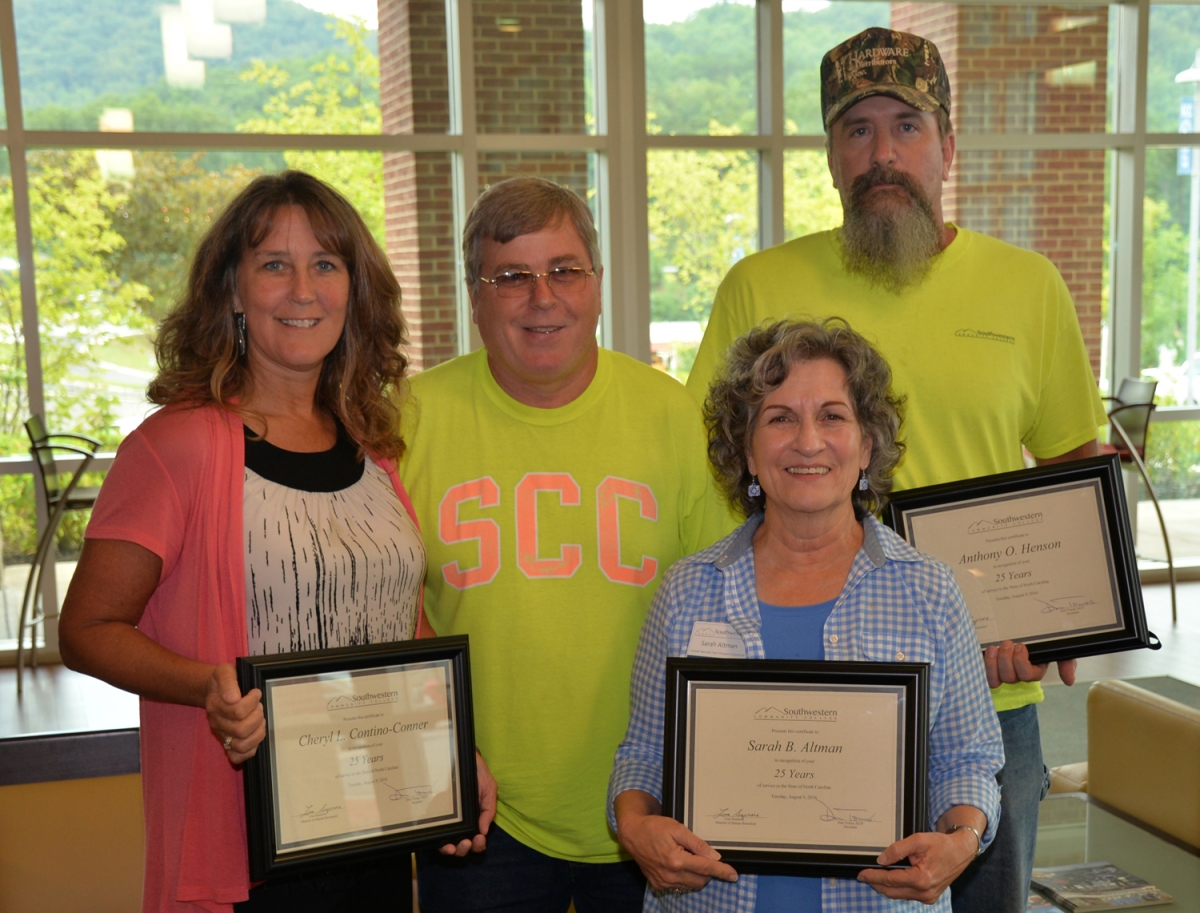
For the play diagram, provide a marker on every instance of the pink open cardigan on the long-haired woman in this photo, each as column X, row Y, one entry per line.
column 177, row 490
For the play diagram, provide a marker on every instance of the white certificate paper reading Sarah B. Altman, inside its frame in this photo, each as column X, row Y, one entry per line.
column 796, row 767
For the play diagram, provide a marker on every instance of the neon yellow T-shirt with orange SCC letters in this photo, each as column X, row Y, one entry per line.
column 548, row 533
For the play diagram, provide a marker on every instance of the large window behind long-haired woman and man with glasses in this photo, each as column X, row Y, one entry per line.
column 135, row 123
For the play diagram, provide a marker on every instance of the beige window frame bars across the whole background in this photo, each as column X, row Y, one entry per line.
column 621, row 145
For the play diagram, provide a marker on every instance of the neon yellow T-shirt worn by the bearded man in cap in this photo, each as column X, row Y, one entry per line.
column 987, row 350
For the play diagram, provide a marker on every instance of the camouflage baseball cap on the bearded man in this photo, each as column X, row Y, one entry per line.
column 881, row 62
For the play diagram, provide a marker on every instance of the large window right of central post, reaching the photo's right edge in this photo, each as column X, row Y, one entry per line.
column 1053, row 157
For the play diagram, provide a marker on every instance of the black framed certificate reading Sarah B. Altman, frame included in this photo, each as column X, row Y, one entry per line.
column 797, row 768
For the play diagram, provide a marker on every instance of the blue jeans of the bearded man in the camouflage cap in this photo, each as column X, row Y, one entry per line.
column 999, row 881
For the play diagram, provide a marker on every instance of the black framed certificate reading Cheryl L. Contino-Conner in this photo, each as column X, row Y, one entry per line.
column 369, row 750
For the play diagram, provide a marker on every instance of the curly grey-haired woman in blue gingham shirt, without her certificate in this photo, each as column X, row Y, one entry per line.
column 803, row 435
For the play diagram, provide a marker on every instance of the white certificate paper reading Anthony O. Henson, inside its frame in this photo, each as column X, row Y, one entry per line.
column 1033, row 567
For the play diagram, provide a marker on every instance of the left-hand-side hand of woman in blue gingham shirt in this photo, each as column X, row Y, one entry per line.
column 671, row 857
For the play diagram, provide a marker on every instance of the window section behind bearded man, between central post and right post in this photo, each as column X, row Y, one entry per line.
column 1031, row 91
